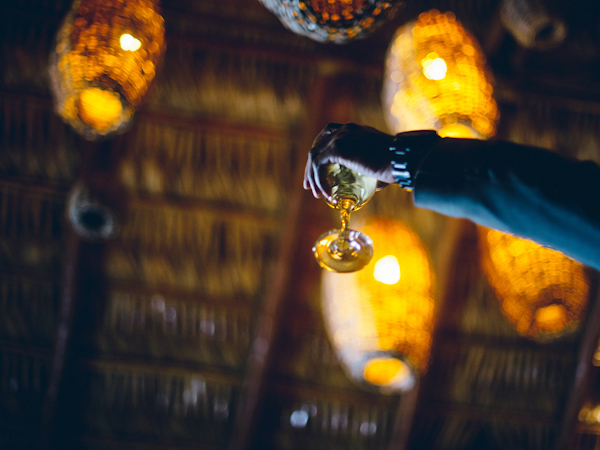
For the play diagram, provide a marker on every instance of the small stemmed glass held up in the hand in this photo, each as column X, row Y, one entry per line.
column 345, row 250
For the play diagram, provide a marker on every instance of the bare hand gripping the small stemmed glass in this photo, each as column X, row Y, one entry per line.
column 360, row 148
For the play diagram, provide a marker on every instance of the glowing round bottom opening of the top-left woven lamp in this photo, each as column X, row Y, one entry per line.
column 99, row 108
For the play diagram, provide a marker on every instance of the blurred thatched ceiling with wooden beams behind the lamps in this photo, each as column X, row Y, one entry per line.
column 199, row 325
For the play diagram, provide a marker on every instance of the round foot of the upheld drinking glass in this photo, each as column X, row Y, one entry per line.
column 343, row 251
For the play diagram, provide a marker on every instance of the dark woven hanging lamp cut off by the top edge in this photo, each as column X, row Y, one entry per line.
column 332, row 20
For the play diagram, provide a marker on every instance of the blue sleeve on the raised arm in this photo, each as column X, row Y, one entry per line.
column 525, row 191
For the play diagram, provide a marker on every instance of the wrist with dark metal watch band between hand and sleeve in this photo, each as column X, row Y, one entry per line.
column 409, row 149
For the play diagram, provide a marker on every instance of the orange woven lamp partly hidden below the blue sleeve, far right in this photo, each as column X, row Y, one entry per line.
column 542, row 293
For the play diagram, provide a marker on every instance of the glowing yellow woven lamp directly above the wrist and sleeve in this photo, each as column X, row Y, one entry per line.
column 436, row 78
